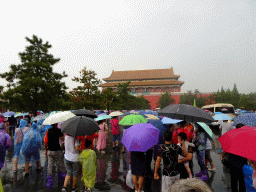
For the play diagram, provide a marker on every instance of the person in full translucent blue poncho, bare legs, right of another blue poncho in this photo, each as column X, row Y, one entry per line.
column 32, row 143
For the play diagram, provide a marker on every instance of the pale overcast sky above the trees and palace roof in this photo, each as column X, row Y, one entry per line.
column 209, row 43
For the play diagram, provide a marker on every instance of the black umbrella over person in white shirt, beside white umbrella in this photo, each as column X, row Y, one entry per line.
column 79, row 126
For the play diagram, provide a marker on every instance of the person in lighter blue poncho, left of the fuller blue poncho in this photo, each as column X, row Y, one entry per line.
column 18, row 138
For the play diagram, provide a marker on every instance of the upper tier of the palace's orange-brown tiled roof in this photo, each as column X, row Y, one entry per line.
column 142, row 74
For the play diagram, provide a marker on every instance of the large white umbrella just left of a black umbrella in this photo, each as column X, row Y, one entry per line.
column 58, row 117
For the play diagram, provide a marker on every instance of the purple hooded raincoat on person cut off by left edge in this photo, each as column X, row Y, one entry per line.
column 5, row 143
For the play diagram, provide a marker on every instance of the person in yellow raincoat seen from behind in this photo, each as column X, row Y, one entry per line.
column 89, row 165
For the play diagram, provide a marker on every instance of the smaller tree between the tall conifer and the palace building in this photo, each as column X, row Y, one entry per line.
column 86, row 96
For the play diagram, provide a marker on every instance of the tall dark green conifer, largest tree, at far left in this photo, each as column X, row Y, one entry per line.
column 32, row 85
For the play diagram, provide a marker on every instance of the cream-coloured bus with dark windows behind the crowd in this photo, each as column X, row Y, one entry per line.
column 221, row 107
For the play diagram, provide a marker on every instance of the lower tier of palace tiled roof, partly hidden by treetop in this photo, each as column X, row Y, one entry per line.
column 146, row 83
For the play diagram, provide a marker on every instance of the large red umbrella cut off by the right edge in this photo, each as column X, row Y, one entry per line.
column 240, row 142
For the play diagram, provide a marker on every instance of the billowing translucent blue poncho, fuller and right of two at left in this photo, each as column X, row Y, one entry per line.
column 32, row 141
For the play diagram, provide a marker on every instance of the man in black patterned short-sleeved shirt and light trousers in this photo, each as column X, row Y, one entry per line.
column 169, row 152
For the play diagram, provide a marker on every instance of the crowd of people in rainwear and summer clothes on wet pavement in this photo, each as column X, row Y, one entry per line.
column 73, row 153
